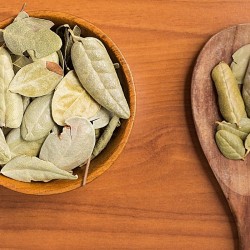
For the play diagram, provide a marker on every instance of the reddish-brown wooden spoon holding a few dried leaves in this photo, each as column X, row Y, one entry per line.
column 233, row 176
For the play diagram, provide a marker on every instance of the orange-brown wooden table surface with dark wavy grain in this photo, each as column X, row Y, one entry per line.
column 160, row 193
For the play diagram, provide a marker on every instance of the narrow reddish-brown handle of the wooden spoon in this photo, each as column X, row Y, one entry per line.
column 240, row 206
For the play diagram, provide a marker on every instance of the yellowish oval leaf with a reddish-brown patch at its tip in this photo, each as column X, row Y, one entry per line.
column 36, row 79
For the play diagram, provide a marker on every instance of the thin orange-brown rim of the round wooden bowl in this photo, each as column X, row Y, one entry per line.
column 38, row 188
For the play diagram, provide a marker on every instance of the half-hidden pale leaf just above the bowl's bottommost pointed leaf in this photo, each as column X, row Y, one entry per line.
column 18, row 146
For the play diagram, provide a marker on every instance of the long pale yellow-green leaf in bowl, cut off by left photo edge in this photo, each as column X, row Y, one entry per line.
column 11, row 109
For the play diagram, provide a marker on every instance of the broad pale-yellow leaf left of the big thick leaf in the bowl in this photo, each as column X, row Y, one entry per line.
column 70, row 99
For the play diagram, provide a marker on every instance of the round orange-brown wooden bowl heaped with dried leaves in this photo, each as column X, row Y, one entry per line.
column 102, row 162
